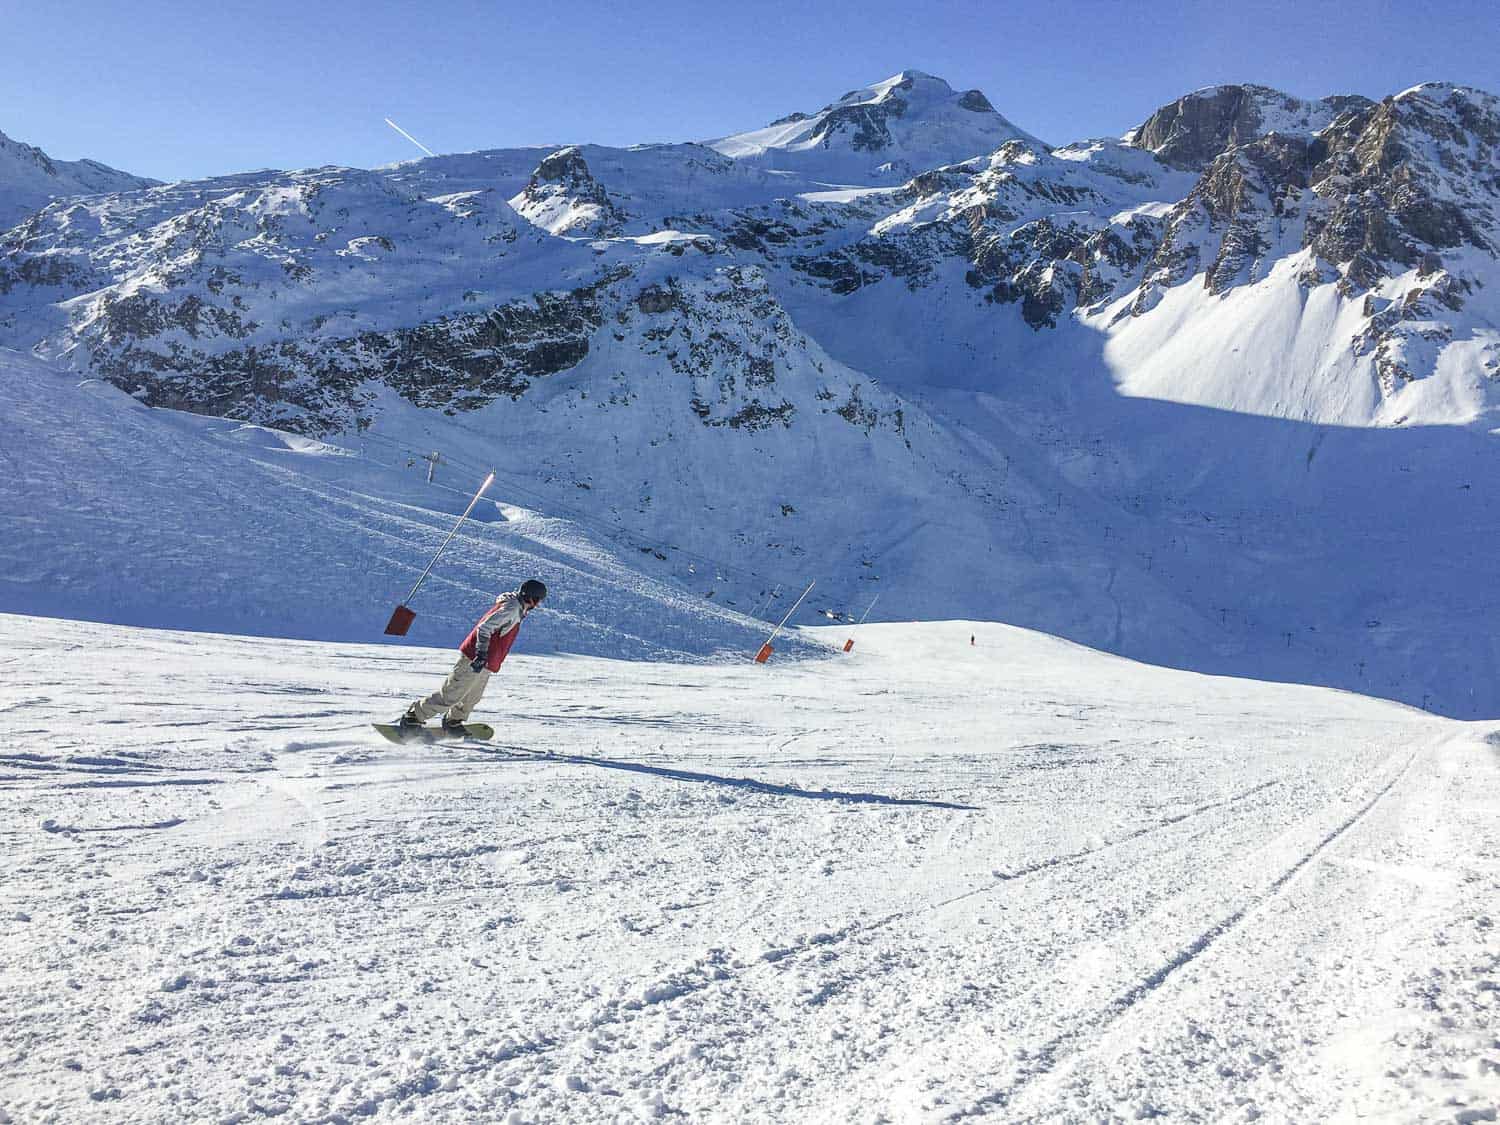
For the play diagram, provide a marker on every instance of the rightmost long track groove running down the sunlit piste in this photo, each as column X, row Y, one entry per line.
column 1046, row 1060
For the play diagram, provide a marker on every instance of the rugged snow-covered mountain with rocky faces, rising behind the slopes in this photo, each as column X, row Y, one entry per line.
column 1150, row 394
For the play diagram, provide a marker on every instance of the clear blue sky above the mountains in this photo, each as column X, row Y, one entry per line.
column 197, row 89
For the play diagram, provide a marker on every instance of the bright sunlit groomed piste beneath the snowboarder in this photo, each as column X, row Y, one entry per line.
column 925, row 881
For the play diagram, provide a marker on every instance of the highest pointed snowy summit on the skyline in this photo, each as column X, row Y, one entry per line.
column 880, row 134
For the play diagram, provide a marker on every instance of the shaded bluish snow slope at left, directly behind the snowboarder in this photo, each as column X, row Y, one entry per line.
column 145, row 517
